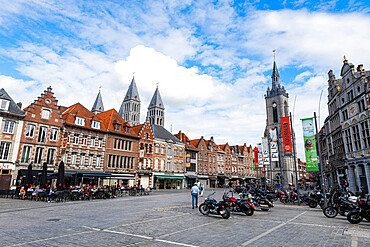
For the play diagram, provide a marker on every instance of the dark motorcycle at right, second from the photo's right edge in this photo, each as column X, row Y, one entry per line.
column 339, row 204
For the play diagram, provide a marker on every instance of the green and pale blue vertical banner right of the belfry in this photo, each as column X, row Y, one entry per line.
column 310, row 145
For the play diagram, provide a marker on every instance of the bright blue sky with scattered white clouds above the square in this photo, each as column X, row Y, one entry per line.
column 212, row 60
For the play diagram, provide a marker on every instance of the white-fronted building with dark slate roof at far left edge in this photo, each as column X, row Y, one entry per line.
column 11, row 125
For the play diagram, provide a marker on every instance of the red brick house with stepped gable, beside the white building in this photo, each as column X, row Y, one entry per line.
column 41, row 135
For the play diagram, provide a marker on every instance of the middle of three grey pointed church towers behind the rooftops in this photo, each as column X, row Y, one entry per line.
column 130, row 107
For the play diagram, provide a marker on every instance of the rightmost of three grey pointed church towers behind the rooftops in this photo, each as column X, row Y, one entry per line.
column 156, row 109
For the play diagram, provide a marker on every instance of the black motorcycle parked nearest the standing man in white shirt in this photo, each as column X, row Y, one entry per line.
column 211, row 206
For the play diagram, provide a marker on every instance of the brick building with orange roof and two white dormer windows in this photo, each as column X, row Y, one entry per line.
column 84, row 155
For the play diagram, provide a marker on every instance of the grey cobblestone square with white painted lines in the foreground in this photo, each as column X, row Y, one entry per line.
column 167, row 219
